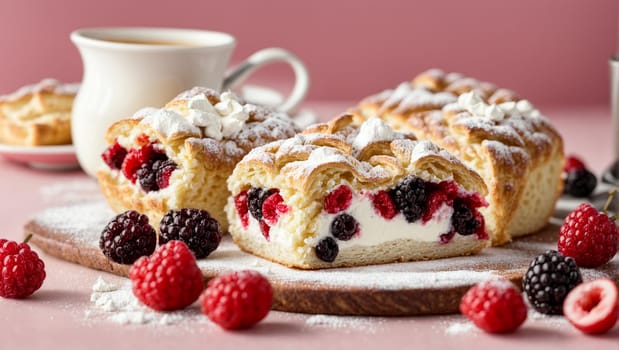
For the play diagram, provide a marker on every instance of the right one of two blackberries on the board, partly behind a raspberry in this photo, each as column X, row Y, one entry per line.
column 194, row 227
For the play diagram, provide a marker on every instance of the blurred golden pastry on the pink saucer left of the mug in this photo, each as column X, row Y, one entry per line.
column 38, row 115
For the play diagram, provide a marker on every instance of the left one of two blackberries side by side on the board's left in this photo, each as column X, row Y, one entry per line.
column 127, row 237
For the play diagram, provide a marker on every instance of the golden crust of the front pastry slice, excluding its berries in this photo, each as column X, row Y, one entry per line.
column 367, row 159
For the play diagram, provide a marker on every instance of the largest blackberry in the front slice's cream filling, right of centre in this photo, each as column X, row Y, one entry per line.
column 409, row 197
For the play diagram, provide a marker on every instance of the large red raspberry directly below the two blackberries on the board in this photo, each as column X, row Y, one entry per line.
column 169, row 279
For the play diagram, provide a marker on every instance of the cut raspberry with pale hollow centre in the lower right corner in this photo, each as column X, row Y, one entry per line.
column 593, row 306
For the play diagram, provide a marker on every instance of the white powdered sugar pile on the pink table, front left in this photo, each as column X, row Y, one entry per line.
column 117, row 304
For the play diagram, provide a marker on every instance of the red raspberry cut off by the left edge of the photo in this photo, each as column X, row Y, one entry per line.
column 22, row 272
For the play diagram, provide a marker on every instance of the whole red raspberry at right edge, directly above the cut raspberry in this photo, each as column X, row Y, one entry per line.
column 588, row 236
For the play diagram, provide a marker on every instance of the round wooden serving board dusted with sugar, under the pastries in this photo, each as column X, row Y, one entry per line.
column 400, row 289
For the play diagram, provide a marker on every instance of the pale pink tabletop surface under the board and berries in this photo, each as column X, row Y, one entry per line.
column 61, row 316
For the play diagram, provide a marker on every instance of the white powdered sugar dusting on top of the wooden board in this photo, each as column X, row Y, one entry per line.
column 84, row 222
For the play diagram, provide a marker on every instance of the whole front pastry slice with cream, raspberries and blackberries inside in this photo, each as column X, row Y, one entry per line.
column 342, row 194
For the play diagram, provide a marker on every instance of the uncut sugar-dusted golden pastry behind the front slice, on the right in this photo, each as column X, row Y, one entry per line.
column 516, row 150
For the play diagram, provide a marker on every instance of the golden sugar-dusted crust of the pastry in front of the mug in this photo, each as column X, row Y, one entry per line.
column 203, row 162
